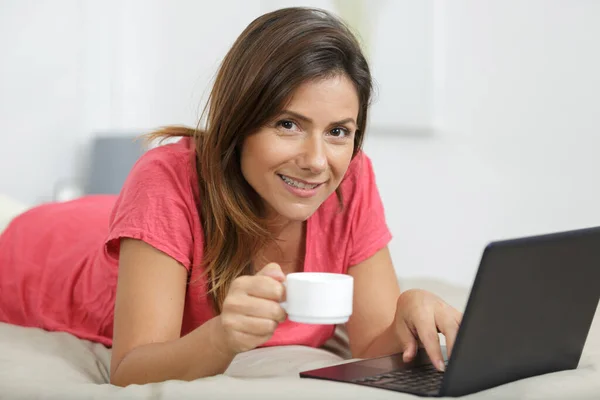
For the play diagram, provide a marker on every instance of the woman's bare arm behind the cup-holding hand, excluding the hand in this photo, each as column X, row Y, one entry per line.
column 148, row 315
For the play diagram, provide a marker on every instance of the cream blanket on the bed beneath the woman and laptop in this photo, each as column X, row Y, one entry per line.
column 39, row 364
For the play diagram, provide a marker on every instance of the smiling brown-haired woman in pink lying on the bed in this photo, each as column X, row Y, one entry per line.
column 190, row 270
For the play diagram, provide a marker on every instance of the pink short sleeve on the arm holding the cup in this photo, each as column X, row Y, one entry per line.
column 154, row 206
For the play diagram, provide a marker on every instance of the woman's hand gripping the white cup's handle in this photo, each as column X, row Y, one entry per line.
column 251, row 311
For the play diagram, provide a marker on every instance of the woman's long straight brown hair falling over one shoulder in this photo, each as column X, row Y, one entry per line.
column 275, row 54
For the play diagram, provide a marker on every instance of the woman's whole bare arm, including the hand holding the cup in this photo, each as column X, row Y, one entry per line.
column 147, row 346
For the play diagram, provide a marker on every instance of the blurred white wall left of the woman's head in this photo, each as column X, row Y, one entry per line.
column 74, row 69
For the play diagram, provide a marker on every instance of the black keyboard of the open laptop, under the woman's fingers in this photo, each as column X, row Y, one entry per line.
column 421, row 379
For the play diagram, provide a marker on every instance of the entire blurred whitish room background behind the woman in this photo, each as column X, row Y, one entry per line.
column 485, row 124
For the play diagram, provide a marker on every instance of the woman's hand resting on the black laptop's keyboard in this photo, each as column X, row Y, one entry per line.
column 420, row 315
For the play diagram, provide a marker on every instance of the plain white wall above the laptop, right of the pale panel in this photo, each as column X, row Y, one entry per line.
column 517, row 141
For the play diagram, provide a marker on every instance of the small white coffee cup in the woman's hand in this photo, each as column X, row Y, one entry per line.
column 318, row 297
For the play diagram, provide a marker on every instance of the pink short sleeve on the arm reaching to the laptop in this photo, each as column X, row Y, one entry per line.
column 369, row 230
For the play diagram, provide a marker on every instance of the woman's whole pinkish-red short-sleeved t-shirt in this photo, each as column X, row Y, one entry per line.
column 77, row 257
